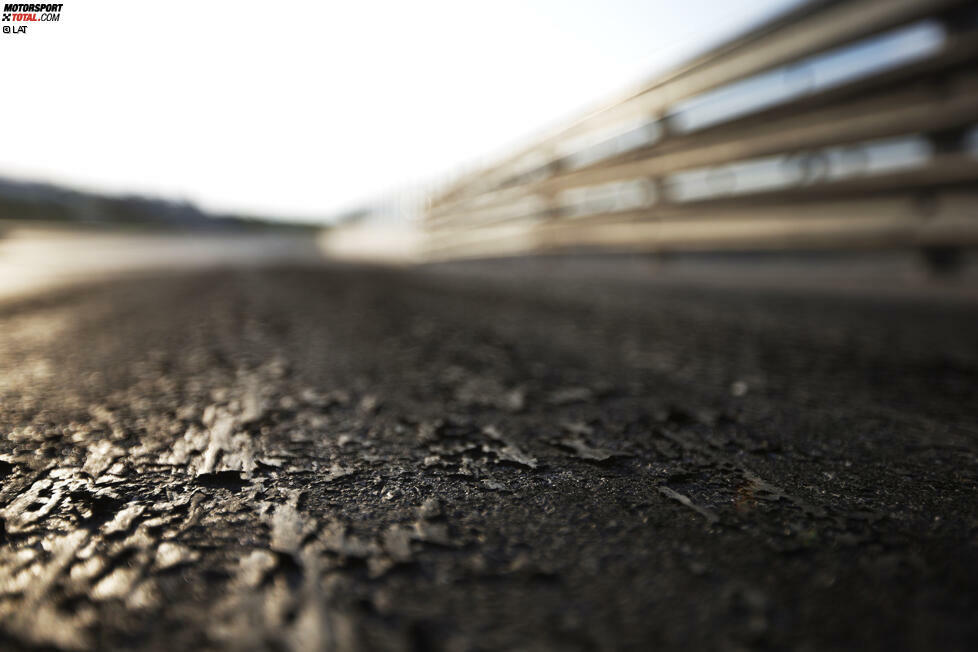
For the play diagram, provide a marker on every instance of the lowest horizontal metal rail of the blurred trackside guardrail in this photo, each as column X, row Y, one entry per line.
column 894, row 220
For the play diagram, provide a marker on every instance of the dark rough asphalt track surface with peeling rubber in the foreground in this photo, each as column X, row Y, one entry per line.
column 364, row 459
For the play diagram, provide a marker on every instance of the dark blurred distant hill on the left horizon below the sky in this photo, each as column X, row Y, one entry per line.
column 27, row 201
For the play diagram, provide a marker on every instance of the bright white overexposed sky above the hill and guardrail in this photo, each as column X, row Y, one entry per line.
column 300, row 109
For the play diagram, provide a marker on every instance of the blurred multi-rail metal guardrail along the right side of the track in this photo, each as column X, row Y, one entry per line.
column 839, row 124
